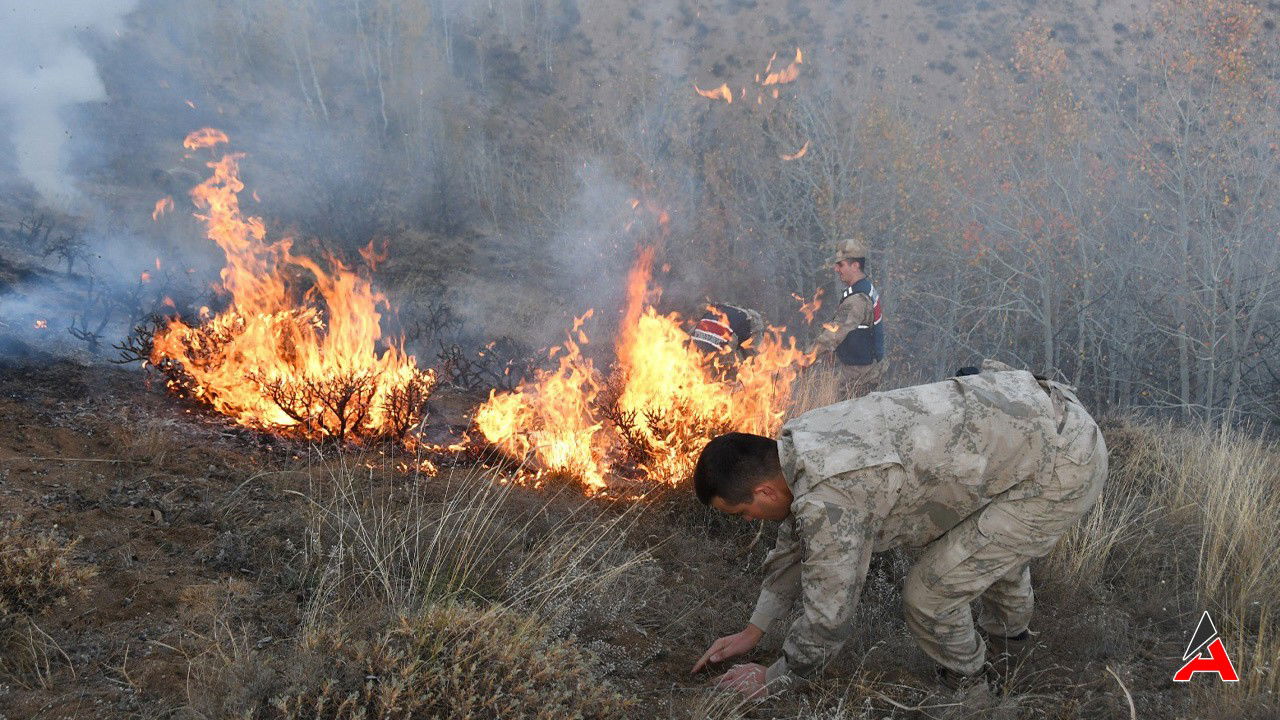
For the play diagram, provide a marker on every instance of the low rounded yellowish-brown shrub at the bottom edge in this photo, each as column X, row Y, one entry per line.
column 449, row 662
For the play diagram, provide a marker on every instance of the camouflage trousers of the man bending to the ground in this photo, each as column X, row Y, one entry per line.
column 988, row 555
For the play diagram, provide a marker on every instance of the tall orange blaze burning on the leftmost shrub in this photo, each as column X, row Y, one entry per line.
column 299, row 349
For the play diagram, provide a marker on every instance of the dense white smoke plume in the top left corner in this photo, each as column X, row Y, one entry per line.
column 44, row 71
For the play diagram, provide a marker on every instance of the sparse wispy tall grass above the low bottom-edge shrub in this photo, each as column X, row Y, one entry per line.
column 473, row 539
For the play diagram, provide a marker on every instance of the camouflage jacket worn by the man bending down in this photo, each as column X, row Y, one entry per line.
column 892, row 470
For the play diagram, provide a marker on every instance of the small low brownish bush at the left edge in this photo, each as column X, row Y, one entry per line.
column 36, row 573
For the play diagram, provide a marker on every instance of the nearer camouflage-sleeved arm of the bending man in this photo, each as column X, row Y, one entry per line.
column 838, row 527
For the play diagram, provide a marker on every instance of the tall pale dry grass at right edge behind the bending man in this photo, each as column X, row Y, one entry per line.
column 1203, row 508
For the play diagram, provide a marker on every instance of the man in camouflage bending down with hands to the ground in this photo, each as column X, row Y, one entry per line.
column 985, row 472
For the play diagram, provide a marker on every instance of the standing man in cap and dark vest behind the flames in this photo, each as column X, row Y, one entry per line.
column 856, row 341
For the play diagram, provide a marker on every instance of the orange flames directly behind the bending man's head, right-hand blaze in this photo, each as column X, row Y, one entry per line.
column 648, row 418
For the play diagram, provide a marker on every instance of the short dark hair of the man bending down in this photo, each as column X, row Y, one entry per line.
column 732, row 466
